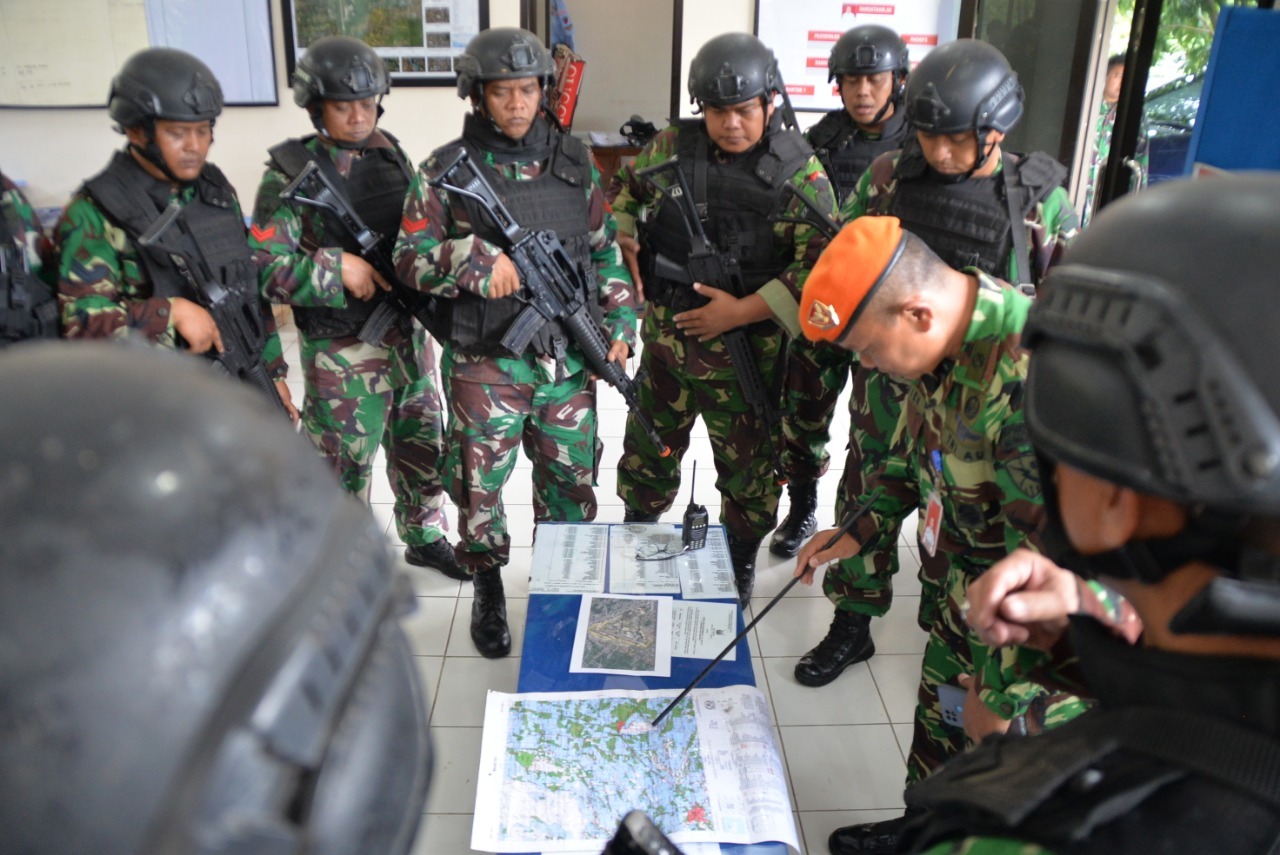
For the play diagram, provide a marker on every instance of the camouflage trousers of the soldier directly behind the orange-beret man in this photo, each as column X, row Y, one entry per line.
column 865, row 584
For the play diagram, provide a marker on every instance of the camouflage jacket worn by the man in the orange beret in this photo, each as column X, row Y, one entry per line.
column 963, row 438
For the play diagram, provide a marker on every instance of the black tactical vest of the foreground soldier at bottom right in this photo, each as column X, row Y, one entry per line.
column 1142, row 779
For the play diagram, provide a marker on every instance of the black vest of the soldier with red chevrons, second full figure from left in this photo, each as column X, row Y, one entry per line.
column 376, row 188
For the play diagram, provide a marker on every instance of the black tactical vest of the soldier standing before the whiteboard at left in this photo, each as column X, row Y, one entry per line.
column 134, row 200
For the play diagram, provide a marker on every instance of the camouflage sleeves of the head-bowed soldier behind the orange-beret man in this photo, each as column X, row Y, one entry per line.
column 1050, row 230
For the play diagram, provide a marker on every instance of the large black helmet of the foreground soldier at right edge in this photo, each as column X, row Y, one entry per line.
column 1146, row 378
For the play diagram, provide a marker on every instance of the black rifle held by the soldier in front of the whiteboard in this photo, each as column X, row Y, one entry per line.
column 237, row 316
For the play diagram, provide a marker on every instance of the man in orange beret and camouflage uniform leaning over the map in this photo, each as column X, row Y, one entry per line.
column 959, row 455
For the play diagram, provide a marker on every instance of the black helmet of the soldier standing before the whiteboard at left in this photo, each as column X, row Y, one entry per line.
column 163, row 84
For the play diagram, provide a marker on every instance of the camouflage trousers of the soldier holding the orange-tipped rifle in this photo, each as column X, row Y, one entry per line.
column 490, row 423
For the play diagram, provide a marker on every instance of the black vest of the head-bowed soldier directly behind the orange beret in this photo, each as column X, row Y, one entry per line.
column 968, row 223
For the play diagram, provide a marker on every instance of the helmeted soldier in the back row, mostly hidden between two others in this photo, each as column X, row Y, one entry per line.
column 870, row 66
